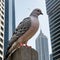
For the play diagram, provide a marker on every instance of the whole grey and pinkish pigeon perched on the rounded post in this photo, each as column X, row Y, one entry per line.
column 25, row 30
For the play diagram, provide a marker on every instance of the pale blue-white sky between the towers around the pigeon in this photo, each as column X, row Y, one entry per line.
column 23, row 8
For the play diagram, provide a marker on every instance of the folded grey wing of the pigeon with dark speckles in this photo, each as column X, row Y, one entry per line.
column 20, row 30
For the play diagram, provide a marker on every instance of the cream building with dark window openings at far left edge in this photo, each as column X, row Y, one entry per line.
column 2, row 4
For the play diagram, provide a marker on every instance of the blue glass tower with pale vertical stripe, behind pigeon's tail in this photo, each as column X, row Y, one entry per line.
column 9, row 21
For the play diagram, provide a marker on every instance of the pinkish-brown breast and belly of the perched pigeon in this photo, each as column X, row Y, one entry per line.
column 31, row 31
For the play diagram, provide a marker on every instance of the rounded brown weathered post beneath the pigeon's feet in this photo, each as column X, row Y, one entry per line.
column 24, row 53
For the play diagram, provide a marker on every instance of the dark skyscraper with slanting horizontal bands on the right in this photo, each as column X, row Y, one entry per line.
column 53, row 11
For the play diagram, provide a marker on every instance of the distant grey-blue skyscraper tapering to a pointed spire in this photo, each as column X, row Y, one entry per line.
column 42, row 47
